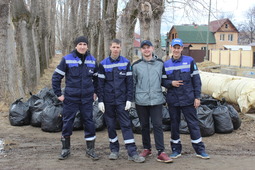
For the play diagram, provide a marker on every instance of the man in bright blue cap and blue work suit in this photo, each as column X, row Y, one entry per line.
column 183, row 85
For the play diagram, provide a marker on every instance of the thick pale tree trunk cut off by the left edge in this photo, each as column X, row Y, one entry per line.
column 10, row 75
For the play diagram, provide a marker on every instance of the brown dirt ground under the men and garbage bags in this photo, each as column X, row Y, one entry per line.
column 28, row 147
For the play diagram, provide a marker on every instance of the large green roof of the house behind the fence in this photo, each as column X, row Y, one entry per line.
column 194, row 34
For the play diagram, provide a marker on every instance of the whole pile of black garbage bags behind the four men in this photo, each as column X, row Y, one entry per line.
column 44, row 110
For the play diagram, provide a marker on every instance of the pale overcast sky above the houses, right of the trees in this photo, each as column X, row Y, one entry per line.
column 226, row 8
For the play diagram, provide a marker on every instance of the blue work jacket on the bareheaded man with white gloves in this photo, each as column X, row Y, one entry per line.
column 115, row 81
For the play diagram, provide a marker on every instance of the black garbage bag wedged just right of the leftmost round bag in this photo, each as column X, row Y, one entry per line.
column 36, row 112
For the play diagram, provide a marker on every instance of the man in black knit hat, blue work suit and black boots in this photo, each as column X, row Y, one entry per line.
column 80, row 71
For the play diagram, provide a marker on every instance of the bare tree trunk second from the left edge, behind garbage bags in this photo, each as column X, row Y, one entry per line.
column 23, row 25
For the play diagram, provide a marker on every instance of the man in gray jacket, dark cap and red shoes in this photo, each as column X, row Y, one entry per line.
column 147, row 75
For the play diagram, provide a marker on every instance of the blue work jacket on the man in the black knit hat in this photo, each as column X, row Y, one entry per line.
column 80, row 78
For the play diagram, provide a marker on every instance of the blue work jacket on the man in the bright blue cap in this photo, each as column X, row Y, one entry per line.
column 184, row 69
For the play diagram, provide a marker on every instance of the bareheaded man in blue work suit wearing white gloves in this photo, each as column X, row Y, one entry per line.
column 115, row 84
